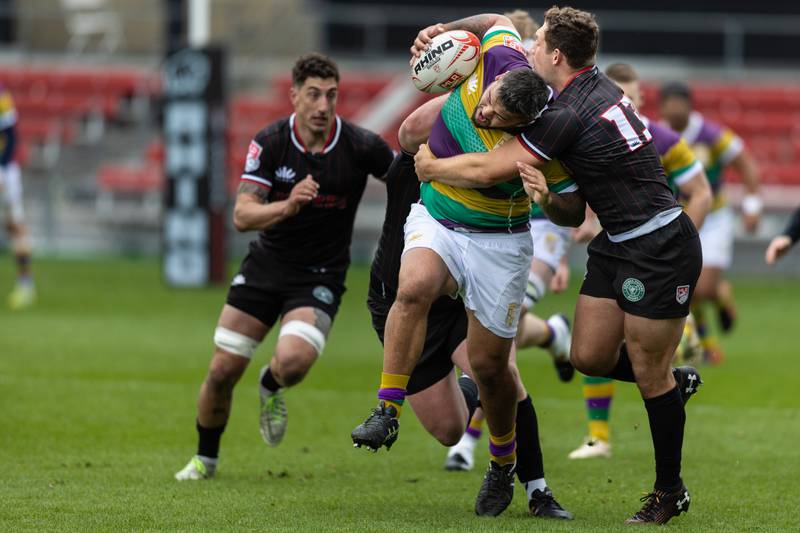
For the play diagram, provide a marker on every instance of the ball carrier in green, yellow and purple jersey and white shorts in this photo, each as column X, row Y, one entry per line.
column 492, row 225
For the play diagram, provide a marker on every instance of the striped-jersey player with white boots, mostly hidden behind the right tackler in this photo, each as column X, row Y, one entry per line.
column 686, row 177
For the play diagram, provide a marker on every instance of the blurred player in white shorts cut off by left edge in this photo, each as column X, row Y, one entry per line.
column 24, row 293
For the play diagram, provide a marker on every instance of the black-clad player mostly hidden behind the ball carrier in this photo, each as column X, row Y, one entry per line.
column 442, row 403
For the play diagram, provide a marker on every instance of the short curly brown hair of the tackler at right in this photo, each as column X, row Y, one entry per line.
column 574, row 32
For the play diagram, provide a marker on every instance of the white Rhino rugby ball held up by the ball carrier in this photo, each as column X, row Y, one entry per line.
column 449, row 60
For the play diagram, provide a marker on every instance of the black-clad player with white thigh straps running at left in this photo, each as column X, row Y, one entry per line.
column 303, row 179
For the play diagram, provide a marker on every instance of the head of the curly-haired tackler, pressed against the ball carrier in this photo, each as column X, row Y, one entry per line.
column 568, row 41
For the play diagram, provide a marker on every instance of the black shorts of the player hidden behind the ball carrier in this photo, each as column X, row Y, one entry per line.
column 447, row 328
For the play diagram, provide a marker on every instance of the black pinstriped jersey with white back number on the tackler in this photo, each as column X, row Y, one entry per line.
column 594, row 132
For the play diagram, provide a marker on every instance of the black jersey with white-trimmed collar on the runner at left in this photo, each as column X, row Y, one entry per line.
column 318, row 237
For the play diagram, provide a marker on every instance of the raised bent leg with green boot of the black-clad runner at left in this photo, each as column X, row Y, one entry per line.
column 301, row 341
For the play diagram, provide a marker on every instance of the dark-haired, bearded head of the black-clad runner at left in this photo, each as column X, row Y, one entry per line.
column 315, row 85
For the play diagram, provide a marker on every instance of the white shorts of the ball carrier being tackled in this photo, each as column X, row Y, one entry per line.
column 491, row 269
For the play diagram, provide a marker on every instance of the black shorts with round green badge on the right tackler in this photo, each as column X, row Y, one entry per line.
column 652, row 276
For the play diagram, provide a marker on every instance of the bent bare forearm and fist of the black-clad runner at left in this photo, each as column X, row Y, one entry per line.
column 254, row 211
